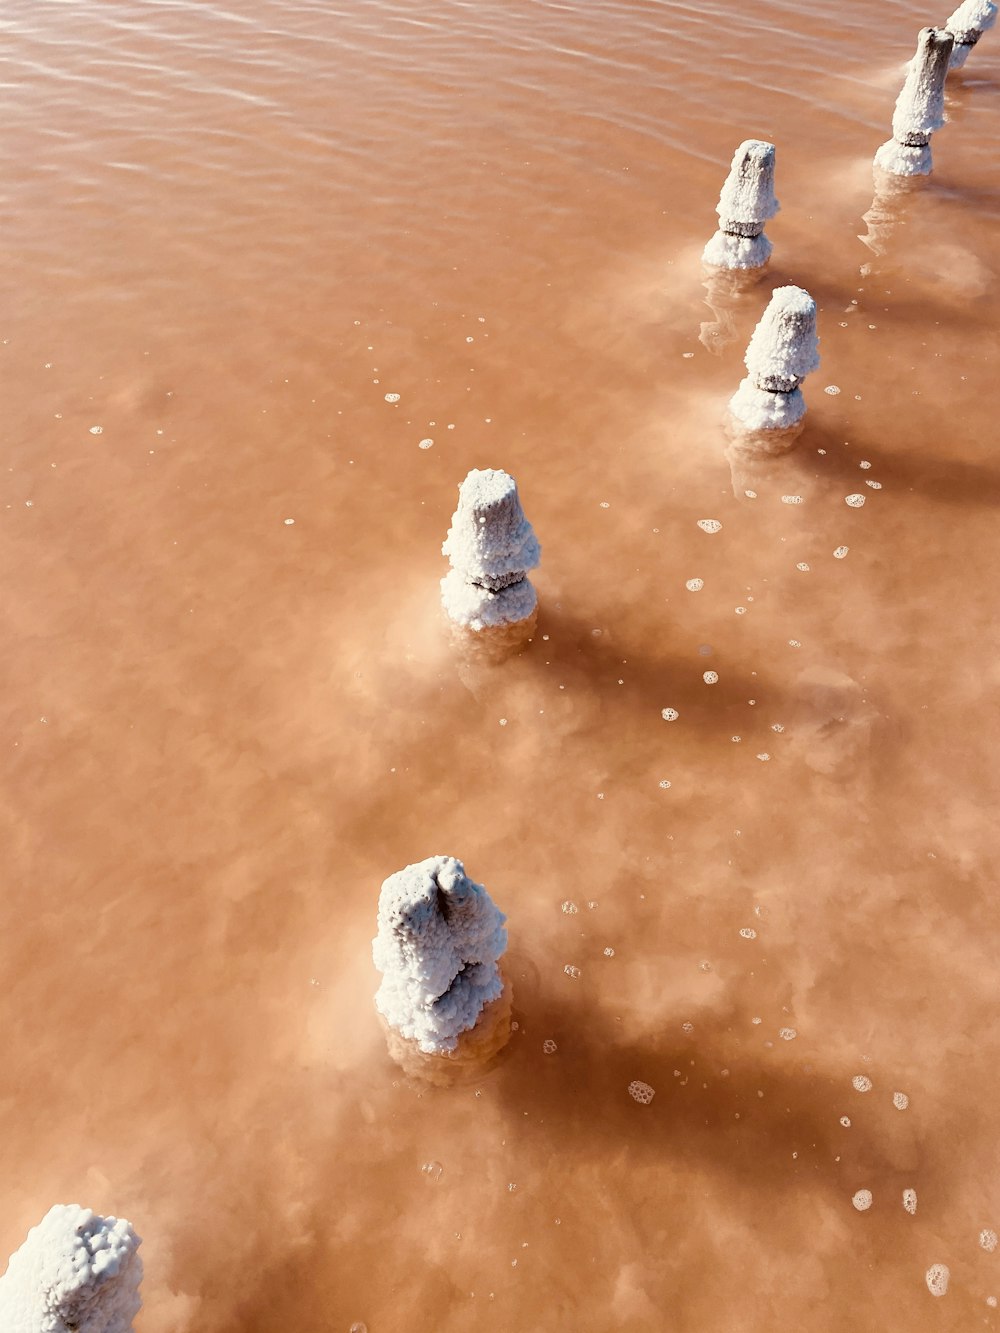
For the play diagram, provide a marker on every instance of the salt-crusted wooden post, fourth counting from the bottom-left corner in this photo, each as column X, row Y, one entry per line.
column 782, row 353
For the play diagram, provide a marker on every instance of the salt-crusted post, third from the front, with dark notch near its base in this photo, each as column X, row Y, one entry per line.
column 491, row 547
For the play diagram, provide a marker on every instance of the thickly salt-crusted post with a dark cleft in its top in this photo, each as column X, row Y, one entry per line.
column 441, row 938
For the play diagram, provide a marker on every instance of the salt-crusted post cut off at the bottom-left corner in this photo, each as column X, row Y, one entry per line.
column 75, row 1272
